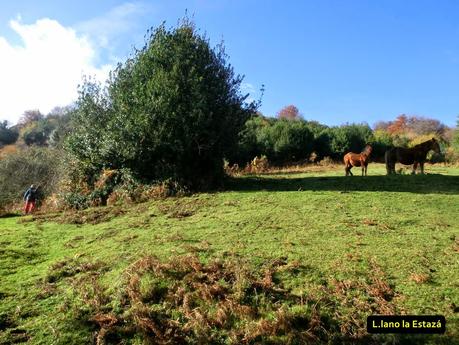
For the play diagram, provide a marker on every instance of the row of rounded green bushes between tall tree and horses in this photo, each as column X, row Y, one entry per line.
column 284, row 141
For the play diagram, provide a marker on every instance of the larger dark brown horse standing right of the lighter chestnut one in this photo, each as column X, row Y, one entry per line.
column 415, row 155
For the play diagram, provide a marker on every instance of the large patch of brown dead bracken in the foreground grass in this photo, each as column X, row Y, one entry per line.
column 185, row 300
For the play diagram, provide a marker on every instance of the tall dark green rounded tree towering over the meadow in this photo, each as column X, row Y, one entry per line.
column 172, row 110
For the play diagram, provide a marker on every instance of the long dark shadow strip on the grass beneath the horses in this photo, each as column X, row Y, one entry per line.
column 424, row 184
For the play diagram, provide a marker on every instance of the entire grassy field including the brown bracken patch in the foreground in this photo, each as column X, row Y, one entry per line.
column 300, row 257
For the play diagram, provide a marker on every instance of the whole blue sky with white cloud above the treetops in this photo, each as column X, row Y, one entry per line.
column 337, row 61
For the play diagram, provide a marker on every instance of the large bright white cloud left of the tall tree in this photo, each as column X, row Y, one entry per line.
column 44, row 71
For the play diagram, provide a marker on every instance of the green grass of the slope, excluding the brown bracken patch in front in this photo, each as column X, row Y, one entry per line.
column 341, row 230
